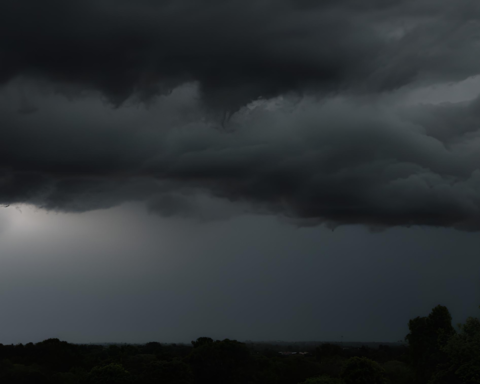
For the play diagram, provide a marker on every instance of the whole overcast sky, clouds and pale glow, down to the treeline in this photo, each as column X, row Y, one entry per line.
column 263, row 170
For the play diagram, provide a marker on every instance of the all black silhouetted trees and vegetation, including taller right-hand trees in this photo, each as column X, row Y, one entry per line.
column 435, row 354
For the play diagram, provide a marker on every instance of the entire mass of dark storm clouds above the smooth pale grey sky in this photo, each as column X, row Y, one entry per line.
column 104, row 102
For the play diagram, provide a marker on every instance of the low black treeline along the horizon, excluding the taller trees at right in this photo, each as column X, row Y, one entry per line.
column 206, row 361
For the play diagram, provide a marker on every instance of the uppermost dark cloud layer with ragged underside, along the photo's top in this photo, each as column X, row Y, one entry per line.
column 238, row 50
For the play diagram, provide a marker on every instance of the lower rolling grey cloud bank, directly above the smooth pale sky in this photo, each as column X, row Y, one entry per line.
column 336, row 161
